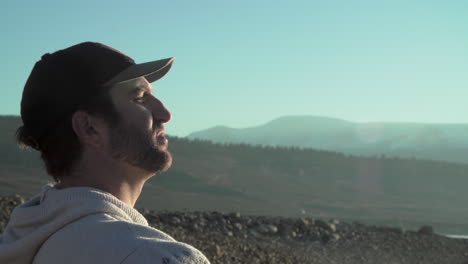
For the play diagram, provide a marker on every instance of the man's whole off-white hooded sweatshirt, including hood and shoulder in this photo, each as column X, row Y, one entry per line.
column 87, row 225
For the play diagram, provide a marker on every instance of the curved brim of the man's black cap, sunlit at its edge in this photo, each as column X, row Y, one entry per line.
column 152, row 71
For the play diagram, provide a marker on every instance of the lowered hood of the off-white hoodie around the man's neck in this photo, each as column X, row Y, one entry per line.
column 34, row 221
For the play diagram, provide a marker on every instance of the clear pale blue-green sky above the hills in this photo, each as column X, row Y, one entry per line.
column 242, row 63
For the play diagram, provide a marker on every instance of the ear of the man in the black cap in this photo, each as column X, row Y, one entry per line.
column 89, row 129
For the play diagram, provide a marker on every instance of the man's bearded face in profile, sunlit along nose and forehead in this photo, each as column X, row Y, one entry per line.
column 138, row 138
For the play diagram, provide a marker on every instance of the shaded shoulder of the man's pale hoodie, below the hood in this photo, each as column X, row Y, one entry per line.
column 101, row 238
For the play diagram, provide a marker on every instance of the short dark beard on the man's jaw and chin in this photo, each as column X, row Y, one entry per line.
column 140, row 148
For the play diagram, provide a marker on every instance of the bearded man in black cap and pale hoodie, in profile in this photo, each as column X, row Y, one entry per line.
column 91, row 112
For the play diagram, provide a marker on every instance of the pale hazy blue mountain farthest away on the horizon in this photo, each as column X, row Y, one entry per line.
column 445, row 142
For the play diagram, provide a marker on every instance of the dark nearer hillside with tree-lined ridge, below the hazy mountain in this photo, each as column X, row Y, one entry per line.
column 281, row 181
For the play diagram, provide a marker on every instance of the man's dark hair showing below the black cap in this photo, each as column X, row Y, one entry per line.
column 60, row 147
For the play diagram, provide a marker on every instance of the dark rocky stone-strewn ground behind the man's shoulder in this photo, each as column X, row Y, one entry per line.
column 235, row 238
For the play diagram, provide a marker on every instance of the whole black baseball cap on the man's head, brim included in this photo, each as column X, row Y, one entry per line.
column 62, row 81
